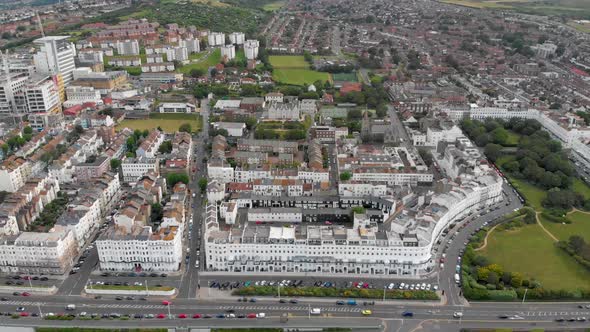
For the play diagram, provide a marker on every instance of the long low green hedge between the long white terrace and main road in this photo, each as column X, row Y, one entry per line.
column 337, row 292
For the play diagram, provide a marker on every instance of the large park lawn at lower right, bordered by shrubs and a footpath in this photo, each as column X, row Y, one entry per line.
column 529, row 250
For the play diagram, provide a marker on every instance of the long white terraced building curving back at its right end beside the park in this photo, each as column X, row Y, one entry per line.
column 401, row 247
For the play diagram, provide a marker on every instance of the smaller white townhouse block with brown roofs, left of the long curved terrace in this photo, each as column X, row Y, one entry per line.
column 132, row 244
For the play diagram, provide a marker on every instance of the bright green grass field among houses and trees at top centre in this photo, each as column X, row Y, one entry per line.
column 292, row 69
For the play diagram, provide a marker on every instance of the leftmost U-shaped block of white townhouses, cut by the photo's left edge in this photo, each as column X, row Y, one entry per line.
column 54, row 251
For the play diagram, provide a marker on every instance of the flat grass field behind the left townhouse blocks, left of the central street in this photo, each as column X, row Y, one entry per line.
column 168, row 122
